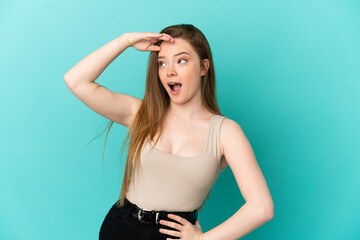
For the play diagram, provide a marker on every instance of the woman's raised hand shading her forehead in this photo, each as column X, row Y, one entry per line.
column 143, row 41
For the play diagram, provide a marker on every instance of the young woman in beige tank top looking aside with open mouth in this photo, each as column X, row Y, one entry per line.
column 180, row 142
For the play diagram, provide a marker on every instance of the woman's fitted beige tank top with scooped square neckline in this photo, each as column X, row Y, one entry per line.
column 168, row 182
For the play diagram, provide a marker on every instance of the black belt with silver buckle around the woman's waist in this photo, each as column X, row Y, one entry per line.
column 151, row 216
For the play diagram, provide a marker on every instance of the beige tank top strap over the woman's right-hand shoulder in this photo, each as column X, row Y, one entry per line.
column 213, row 141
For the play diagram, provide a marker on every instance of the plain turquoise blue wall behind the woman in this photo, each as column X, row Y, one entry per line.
column 287, row 72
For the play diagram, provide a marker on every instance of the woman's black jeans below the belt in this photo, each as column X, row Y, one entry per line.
column 119, row 224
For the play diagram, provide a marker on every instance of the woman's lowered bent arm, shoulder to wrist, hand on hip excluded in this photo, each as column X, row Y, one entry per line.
column 259, row 207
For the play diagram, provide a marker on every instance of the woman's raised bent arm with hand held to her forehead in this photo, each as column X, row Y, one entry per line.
column 80, row 79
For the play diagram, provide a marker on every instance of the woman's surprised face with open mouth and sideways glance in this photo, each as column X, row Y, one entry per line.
column 178, row 62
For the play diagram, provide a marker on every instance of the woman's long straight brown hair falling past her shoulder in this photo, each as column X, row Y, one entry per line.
column 150, row 115
